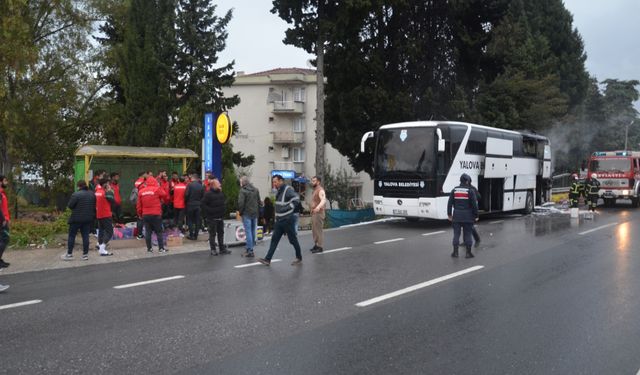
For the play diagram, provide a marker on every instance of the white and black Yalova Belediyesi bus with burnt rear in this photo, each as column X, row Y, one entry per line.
column 417, row 164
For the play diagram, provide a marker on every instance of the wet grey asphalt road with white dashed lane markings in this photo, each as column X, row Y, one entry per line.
column 545, row 294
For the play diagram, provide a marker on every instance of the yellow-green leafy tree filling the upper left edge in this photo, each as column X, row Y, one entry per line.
column 46, row 90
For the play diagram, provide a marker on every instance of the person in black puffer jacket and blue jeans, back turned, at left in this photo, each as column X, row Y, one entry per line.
column 83, row 214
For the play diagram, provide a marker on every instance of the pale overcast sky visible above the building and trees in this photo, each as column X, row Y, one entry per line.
column 610, row 31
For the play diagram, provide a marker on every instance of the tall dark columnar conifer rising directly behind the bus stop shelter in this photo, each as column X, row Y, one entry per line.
column 145, row 60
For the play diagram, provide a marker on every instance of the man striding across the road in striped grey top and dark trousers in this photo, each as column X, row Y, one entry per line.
column 286, row 201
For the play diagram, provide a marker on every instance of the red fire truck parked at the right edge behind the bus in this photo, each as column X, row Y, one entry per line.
column 619, row 175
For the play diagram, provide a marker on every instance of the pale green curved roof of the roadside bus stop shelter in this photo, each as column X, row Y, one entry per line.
column 136, row 152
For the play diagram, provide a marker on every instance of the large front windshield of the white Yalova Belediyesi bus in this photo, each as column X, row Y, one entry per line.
column 405, row 150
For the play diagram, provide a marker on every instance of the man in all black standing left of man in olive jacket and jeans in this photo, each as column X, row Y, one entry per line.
column 213, row 210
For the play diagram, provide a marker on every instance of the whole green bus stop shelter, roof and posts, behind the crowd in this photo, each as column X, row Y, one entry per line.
column 128, row 162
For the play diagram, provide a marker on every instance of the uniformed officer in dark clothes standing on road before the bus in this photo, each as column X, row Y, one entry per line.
column 464, row 204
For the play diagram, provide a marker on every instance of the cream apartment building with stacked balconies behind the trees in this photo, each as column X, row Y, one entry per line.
column 277, row 123
